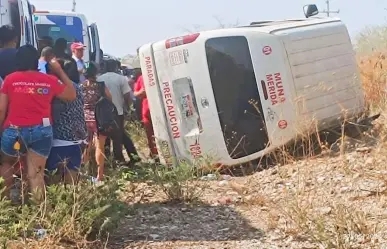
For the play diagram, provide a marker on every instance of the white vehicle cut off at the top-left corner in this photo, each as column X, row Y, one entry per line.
column 19, row 13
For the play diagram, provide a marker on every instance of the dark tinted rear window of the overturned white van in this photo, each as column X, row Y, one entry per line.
column 236, row 95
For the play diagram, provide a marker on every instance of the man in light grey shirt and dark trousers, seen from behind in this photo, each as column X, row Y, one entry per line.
column 120, row 91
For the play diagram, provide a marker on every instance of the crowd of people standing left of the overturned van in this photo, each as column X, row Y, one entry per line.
column 48, row 103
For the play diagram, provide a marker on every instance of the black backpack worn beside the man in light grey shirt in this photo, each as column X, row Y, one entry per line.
column 105, row 114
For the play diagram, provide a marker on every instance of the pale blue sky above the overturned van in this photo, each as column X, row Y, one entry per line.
column 125, row 25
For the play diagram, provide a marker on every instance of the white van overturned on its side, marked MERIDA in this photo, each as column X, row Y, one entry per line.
column 237, row 94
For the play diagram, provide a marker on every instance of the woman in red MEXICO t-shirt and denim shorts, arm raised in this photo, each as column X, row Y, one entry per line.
column 25, row 116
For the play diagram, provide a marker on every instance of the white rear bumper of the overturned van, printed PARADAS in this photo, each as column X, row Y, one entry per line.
column 153, row 92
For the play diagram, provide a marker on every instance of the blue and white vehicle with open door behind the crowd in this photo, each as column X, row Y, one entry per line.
column 71, row 26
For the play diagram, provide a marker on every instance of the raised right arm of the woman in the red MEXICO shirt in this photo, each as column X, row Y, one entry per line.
column 66, row 92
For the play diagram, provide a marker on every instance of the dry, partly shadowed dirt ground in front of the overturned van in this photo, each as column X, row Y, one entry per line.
column 330, row 201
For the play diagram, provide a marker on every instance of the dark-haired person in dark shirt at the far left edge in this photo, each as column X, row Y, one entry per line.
column 8, row 43
